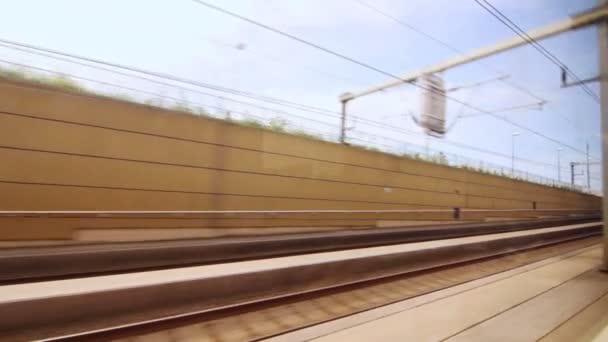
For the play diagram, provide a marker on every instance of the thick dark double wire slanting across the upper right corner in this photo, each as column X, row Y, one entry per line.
column 534, row 43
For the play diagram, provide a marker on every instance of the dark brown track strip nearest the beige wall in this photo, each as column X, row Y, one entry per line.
column 63, row 262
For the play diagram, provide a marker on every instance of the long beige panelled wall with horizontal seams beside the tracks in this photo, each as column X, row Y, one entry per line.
column 63, row 151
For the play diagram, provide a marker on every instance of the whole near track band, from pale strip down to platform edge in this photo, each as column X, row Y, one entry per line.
column 272, row 296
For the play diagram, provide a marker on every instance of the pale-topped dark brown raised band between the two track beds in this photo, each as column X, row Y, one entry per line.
column 89, row 313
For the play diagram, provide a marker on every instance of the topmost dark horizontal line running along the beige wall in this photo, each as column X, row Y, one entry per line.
column 255, row 150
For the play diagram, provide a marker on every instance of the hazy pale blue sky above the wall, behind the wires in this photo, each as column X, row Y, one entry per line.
column 183, row 38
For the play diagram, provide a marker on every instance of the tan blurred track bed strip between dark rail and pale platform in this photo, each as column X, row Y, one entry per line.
column 281, row 317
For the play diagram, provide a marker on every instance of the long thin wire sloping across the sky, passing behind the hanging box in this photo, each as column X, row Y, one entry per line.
column 370, row 67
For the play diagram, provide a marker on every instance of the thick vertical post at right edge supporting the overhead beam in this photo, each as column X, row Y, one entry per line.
column 603, row 60
